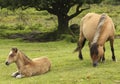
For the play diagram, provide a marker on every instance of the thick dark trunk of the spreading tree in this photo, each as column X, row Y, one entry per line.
column 63, row 25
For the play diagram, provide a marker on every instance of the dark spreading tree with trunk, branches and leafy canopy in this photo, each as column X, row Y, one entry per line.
column 60, row 8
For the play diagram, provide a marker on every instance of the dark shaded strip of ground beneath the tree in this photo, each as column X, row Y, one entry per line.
column 37, row 36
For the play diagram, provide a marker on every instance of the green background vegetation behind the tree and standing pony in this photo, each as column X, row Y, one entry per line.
column 35, row 25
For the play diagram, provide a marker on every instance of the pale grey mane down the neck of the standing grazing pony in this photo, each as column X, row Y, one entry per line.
column 100, row 25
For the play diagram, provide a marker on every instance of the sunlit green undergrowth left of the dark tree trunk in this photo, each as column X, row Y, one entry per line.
column 23, row 22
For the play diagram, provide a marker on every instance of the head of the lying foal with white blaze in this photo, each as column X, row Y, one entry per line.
column 12, row 57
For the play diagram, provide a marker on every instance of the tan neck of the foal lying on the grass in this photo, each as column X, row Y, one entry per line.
column 22, row 60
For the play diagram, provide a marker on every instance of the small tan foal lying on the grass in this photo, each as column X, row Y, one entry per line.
column 26, row 66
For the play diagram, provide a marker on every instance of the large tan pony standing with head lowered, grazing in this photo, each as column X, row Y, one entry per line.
column 97, row 29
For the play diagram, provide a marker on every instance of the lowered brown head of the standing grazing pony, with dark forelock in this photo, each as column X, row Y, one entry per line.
column 96, row 52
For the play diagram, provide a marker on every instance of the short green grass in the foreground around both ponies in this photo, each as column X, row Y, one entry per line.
column 66, row 67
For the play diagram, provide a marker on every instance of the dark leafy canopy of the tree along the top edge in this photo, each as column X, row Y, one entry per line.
column 43, row 4
